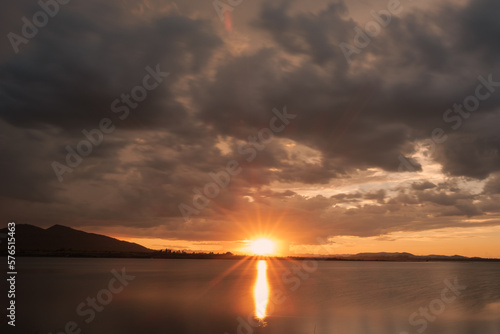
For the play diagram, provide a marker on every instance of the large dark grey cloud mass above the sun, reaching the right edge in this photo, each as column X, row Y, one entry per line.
column 360, row 120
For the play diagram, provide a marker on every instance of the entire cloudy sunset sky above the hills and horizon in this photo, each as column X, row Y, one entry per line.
column 332, row 127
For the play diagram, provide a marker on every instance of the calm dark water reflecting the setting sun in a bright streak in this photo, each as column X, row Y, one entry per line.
column 225, row 296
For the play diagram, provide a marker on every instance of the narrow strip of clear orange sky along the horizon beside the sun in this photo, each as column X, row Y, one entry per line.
column 451, row 241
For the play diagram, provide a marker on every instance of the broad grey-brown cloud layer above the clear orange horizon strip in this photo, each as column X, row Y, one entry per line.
column 354, row 116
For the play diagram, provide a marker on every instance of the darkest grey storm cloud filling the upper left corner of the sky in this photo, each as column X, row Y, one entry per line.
column 76, row 66
